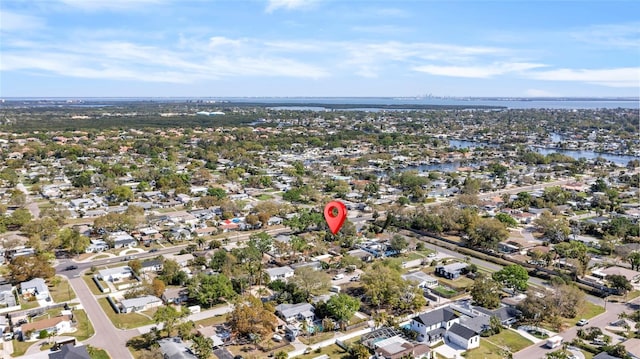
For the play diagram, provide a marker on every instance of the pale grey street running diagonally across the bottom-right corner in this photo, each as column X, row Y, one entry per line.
column 601, row 321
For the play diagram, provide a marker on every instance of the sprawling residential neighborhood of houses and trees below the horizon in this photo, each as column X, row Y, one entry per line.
column 210, row 241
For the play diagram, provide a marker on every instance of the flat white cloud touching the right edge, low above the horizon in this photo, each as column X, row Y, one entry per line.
column 617, row 77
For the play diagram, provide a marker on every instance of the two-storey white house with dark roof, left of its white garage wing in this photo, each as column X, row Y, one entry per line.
column 433, row 325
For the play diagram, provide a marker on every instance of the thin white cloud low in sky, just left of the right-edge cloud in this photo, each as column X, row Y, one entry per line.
column 482, row 72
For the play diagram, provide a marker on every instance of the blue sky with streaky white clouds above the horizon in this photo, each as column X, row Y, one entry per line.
column 215, row 48
